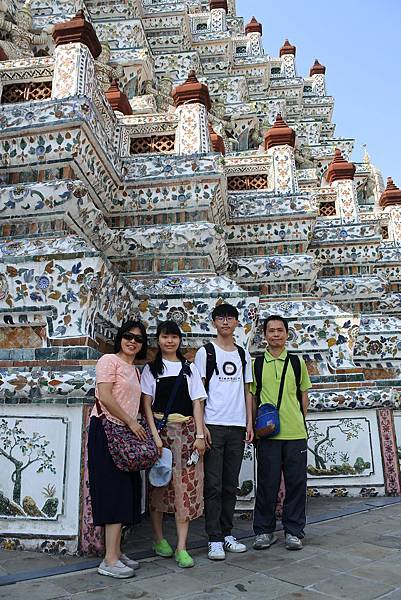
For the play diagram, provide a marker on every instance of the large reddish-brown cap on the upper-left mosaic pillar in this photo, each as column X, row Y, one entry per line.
column 77, row 30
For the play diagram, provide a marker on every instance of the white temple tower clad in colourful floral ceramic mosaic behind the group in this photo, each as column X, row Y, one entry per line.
column 93, row 232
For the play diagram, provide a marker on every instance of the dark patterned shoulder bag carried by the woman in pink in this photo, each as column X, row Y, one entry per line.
column 128, row 452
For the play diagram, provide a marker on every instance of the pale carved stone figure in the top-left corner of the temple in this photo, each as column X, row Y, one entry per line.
column 21, row 37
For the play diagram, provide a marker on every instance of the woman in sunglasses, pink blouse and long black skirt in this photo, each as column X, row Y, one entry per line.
column 116, row 494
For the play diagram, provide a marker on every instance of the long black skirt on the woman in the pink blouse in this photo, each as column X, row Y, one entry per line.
column 115, row 494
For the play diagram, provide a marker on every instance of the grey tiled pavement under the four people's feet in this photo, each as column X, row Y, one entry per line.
column 355, row 556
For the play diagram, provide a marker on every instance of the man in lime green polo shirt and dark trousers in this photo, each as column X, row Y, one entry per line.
column 285, row 452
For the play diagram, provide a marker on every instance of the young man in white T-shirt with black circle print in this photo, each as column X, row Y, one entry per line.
column 228, row 424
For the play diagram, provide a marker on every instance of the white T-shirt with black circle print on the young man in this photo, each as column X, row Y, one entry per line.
column 225, row 403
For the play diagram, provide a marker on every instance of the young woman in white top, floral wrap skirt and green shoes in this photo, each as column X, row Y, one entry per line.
column 183, row 434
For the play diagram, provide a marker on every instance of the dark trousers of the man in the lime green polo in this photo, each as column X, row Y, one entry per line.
column 274, row 457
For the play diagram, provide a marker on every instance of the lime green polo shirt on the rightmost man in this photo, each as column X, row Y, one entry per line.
column 291, row 420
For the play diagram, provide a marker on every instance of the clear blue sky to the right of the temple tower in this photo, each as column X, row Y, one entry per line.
column 359, row 42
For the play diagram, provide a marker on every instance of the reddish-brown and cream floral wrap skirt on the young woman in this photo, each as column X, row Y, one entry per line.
column 184, row 494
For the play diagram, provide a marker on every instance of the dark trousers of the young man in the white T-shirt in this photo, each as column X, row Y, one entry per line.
column 222, row 466
